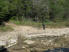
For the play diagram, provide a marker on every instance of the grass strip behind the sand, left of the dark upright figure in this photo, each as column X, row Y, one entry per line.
column 27, row 23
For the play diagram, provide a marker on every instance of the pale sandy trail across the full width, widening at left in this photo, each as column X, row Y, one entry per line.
column 29, row 32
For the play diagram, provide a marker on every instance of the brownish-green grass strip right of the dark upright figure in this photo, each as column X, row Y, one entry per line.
column 61, row 24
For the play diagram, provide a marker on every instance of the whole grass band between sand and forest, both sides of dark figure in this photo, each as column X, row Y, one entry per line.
column 48, row 24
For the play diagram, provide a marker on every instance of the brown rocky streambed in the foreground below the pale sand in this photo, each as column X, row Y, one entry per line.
column 41, row 43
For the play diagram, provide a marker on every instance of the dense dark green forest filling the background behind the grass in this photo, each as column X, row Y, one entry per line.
column 41, row 11
